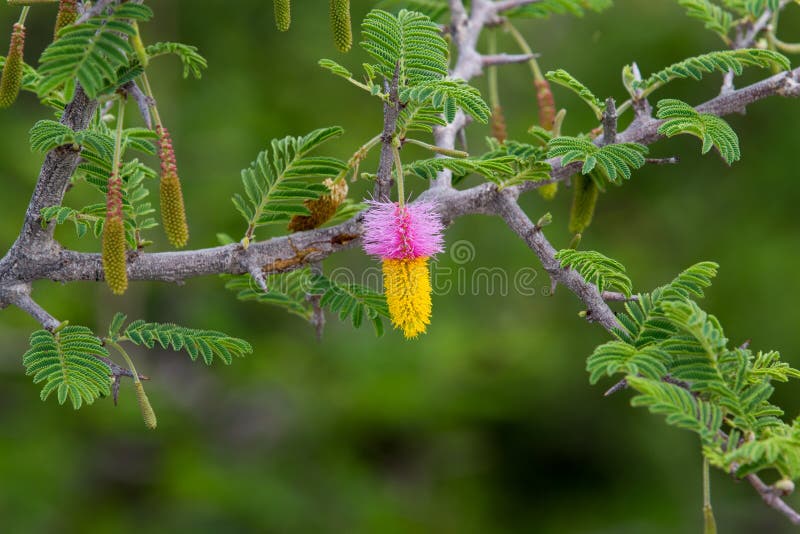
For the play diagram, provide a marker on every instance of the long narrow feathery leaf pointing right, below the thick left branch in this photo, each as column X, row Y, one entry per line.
column 204, row 343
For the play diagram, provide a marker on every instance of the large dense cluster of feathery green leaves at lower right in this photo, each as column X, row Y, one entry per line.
column 678, row 360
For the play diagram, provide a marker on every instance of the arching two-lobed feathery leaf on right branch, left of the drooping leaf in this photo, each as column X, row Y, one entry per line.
column 615, row 161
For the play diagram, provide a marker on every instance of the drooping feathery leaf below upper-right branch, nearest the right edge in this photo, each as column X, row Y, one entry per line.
column 713, row 131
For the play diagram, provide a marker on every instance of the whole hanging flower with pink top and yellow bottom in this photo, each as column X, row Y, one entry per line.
column 405, row 237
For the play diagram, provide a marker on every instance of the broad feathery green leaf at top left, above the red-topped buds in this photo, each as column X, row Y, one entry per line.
column 91, row 52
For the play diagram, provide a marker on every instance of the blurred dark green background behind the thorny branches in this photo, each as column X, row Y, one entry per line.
column 485, row 424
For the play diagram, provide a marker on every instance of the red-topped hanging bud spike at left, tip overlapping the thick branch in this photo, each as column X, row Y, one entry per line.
column 114, row 261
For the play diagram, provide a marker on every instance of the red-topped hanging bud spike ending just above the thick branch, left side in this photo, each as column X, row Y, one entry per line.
column 173, row 213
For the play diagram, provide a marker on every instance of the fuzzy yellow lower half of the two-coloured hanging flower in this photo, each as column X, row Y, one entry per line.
column 408, row 294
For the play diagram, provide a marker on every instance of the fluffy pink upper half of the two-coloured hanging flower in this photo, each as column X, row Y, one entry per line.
column 394, row 232
